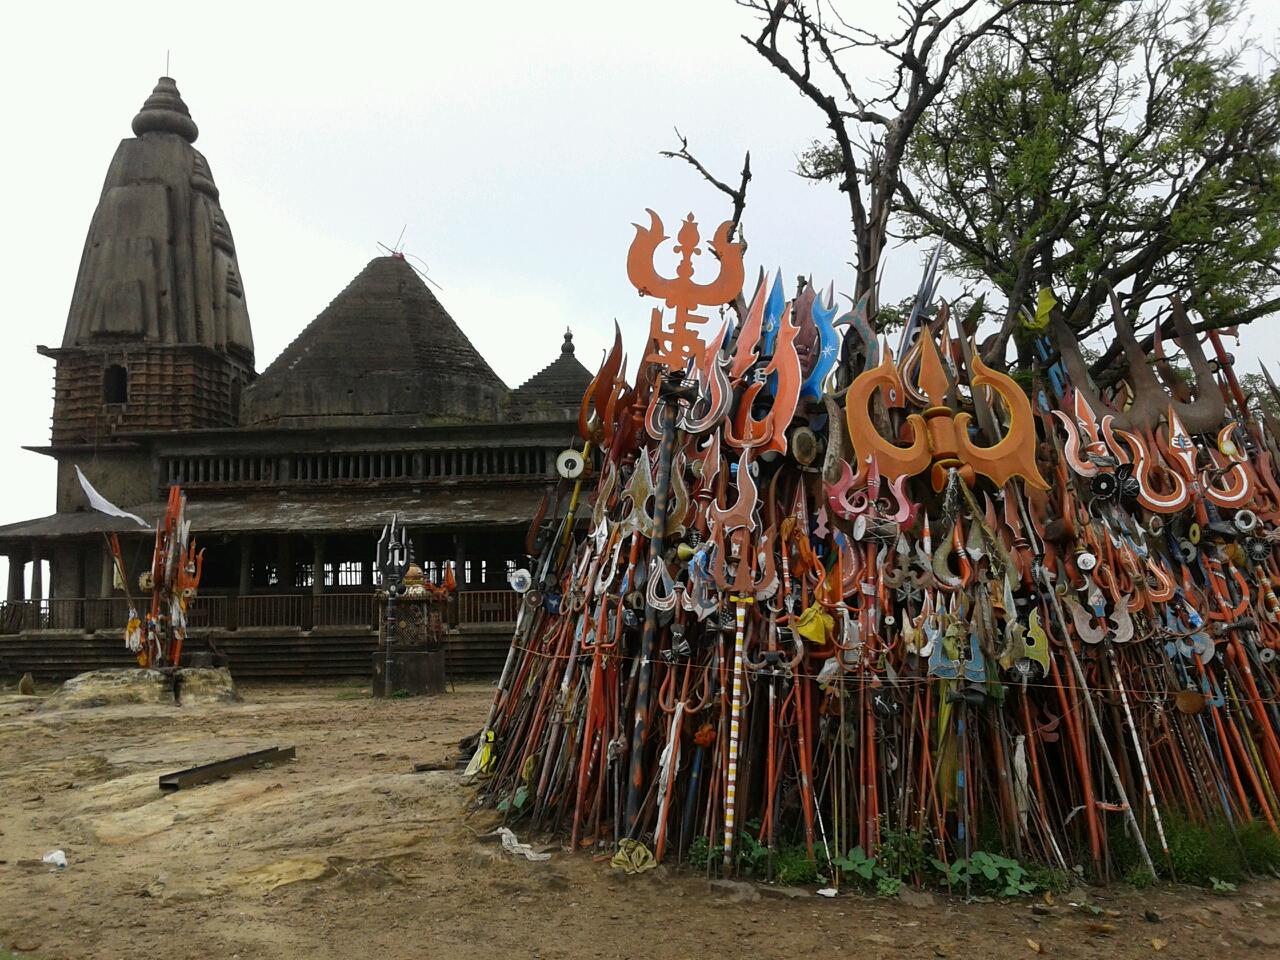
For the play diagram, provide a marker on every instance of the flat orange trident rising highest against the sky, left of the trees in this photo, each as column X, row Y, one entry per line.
column 675, row 346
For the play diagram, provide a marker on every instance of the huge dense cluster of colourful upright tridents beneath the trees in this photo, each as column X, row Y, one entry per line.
column 915, row 632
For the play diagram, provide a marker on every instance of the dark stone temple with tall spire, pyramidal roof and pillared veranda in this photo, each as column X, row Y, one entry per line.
column 382, row 406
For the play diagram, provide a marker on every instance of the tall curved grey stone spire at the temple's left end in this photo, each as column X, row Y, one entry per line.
column 158, row 333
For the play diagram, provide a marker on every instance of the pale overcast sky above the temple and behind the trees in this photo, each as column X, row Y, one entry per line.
column 515, row 143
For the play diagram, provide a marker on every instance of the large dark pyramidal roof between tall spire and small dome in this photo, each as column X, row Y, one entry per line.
column 385, row 353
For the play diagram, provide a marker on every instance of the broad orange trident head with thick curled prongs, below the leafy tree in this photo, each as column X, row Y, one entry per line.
column 940, row 437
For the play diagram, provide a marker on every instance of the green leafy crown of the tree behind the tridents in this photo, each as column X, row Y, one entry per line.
column 1108, row 145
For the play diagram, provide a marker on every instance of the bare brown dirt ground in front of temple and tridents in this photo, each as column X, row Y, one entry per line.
column 348, row 853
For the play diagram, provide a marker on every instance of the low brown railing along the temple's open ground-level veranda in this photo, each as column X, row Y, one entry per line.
column 214, row 612
